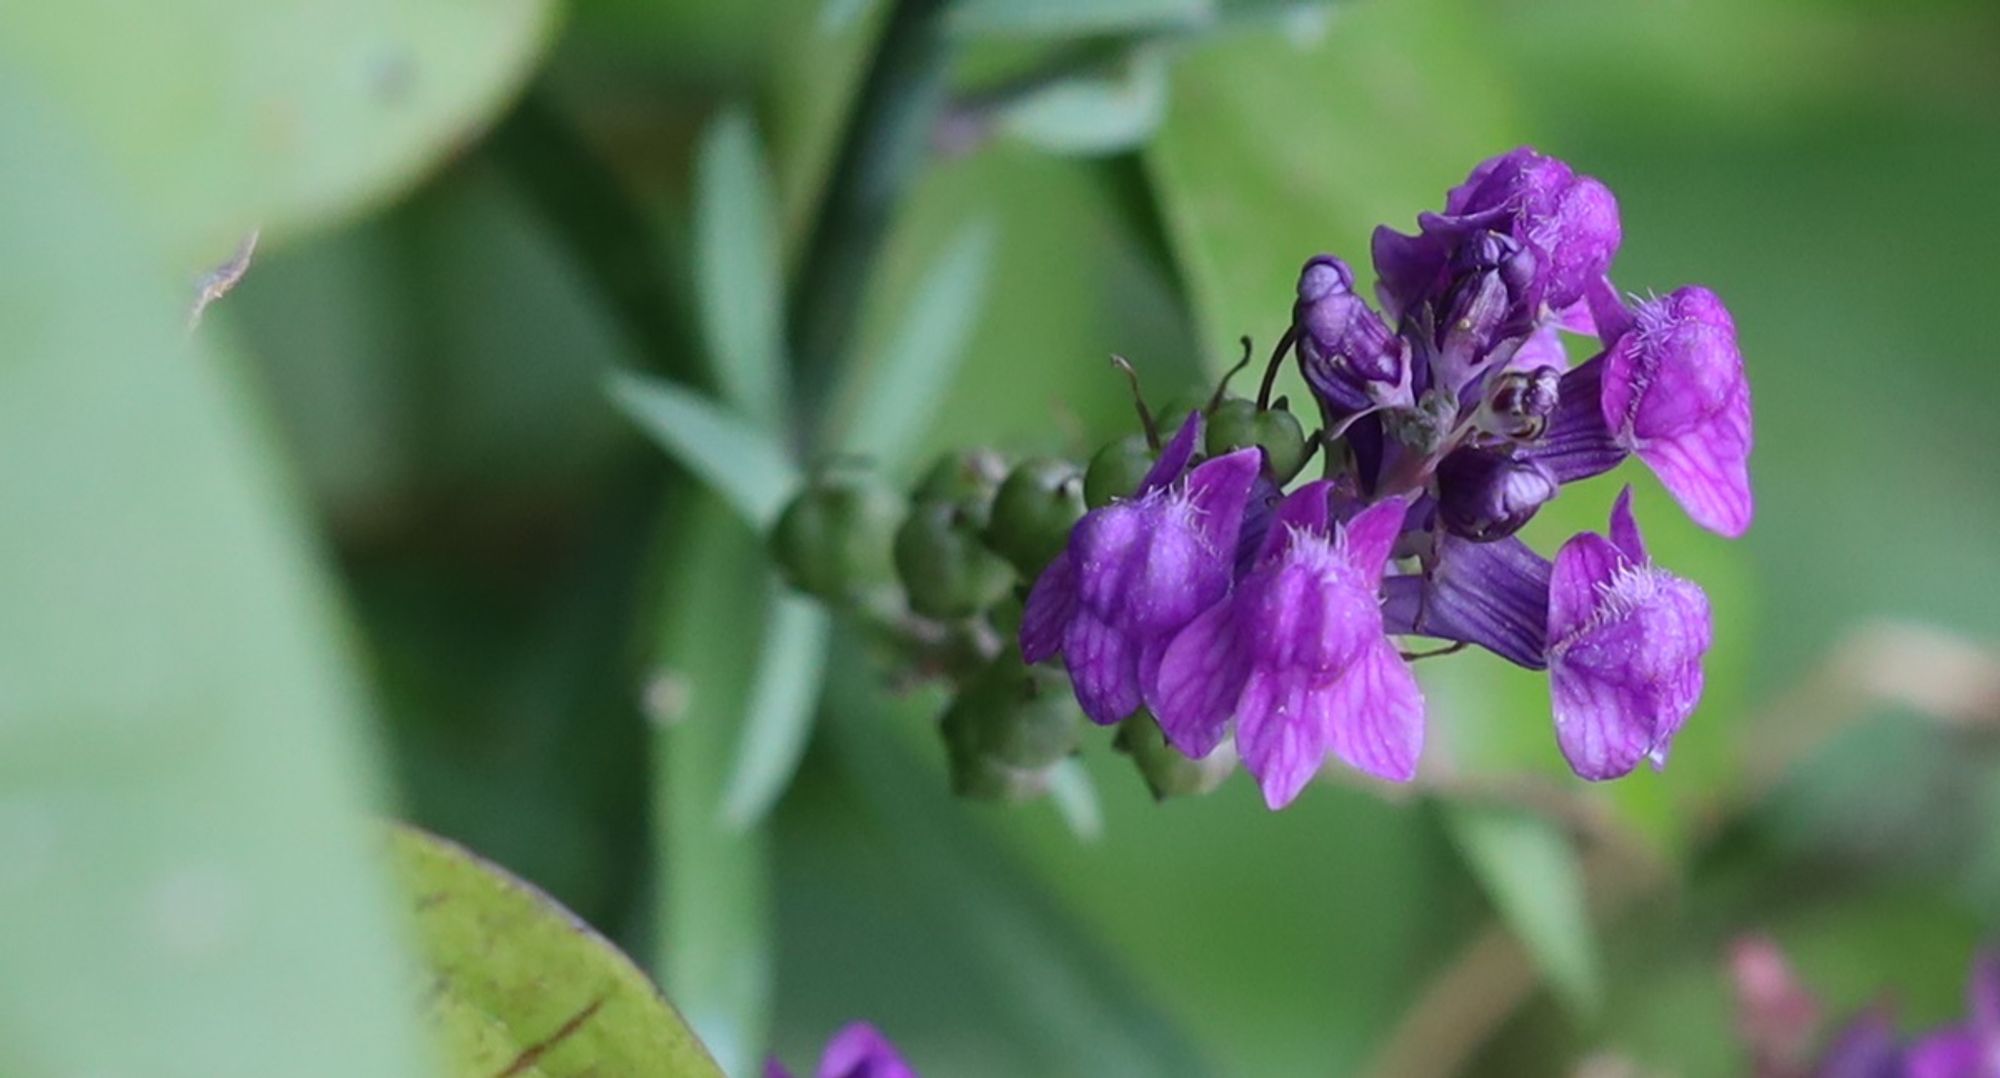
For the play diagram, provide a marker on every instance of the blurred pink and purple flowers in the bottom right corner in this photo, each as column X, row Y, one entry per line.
column 1781, row 1027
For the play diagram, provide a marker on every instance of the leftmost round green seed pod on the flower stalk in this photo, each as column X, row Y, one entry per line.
column 835, row 539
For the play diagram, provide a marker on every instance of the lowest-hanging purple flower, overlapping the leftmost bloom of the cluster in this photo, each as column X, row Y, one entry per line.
column 1297, row 655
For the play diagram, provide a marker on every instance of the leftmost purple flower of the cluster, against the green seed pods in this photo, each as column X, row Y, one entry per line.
column 1139, row 571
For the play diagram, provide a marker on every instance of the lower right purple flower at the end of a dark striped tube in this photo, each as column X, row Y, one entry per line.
column 1625, row 651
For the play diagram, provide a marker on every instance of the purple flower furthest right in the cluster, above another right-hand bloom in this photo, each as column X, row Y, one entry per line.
column 1673, row 391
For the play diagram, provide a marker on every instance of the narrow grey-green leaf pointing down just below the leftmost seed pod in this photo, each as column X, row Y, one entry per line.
column 783, row 701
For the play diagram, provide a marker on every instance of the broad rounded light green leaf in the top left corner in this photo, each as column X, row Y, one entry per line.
column 231, row 115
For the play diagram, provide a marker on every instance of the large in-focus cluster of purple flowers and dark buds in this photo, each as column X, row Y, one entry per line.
column 1215, row 599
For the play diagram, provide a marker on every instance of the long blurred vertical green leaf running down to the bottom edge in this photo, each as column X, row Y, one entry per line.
column 715, row 953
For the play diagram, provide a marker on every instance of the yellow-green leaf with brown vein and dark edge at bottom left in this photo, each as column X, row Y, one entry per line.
column 523, row 987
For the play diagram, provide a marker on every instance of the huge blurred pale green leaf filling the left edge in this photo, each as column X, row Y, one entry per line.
column 187, row 869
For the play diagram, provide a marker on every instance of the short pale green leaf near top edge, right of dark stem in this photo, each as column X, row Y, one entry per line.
column 1095, row 115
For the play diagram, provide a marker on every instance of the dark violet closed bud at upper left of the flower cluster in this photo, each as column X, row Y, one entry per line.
column 1349, row 355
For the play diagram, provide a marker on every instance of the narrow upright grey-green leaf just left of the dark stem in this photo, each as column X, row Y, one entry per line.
column 737, row 267
